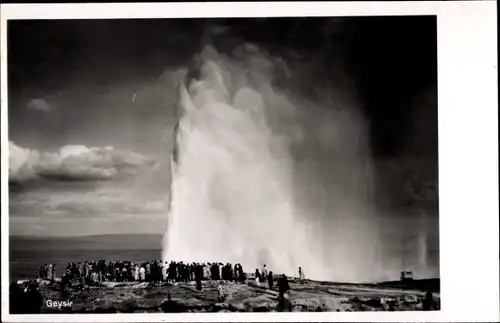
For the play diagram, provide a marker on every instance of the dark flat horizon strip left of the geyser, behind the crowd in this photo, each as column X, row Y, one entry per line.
column 27, row 254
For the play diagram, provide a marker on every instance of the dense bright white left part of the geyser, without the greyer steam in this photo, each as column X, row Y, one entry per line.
column 231, row 195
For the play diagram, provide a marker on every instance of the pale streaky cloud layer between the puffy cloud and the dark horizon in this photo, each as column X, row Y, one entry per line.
column 92, row 208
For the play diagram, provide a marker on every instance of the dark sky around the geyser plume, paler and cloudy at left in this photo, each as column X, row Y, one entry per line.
column 79, row 84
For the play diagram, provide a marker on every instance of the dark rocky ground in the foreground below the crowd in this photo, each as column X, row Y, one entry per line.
column 309, row 296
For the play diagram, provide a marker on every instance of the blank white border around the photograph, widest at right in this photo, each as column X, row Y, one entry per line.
column 468, row 149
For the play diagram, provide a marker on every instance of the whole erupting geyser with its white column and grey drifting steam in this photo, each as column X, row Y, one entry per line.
column 263, row 174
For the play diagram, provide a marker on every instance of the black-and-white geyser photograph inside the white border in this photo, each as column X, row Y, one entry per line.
column 223, row 164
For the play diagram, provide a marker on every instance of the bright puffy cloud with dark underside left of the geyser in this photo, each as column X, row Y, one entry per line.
column 72, row 163
